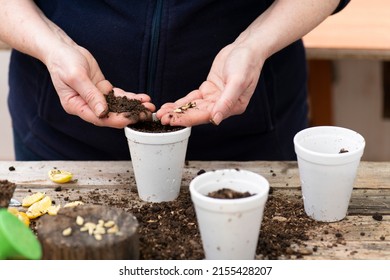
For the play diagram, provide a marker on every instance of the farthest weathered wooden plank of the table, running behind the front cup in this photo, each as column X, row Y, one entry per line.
column 371, row 175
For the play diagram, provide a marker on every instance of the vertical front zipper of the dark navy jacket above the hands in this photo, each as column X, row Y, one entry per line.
column 153, row 50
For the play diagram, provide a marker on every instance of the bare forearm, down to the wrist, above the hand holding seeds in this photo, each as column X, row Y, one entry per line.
column 283, row 23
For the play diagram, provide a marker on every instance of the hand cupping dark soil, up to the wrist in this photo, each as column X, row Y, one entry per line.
column 81, row 86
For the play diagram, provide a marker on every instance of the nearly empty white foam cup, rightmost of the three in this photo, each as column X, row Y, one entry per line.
column 328, row 160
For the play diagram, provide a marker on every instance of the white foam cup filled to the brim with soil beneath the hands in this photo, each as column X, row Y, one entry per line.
column 157, row 154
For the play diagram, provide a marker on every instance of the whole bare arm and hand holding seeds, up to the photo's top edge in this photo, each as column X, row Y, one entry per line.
column 236, row 69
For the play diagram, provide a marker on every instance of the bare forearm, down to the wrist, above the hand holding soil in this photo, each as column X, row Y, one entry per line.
column 24, row 27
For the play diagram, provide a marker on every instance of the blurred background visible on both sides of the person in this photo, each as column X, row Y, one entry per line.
column 349, row 77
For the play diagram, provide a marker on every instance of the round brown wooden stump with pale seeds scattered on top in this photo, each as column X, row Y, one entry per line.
column 80, row 245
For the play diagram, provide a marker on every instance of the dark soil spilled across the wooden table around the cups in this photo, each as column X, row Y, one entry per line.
column 169, row 230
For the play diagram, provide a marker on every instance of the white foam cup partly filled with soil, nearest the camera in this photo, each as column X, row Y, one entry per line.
column 229, row 226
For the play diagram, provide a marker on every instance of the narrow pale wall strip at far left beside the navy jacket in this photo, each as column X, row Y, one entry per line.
column 6, row 140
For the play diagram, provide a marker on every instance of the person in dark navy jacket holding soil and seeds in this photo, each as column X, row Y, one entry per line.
column 241, row 62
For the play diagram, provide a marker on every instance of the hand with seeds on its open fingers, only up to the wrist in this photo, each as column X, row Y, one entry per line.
column 227, row 91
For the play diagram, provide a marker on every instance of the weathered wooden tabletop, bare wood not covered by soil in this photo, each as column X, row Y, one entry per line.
column 370, row 196
